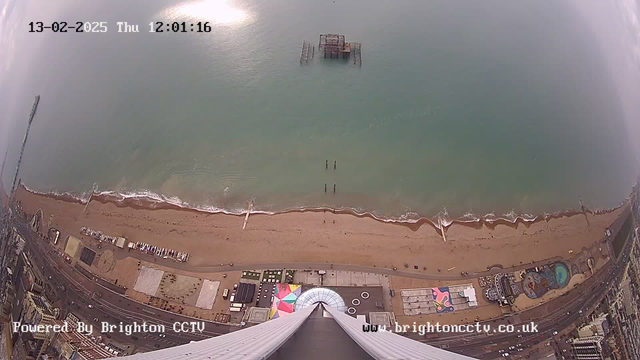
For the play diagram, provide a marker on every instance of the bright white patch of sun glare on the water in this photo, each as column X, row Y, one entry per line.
column 217, row 12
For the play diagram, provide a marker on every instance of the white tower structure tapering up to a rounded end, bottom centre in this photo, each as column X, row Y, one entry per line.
column 315, row 330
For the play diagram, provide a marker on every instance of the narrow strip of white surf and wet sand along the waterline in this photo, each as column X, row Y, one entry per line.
column 154, row 202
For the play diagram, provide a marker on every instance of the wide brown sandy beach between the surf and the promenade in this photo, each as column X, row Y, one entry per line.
column 319, row 236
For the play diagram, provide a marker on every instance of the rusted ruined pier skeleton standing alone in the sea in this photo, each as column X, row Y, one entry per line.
column 333, row 45
